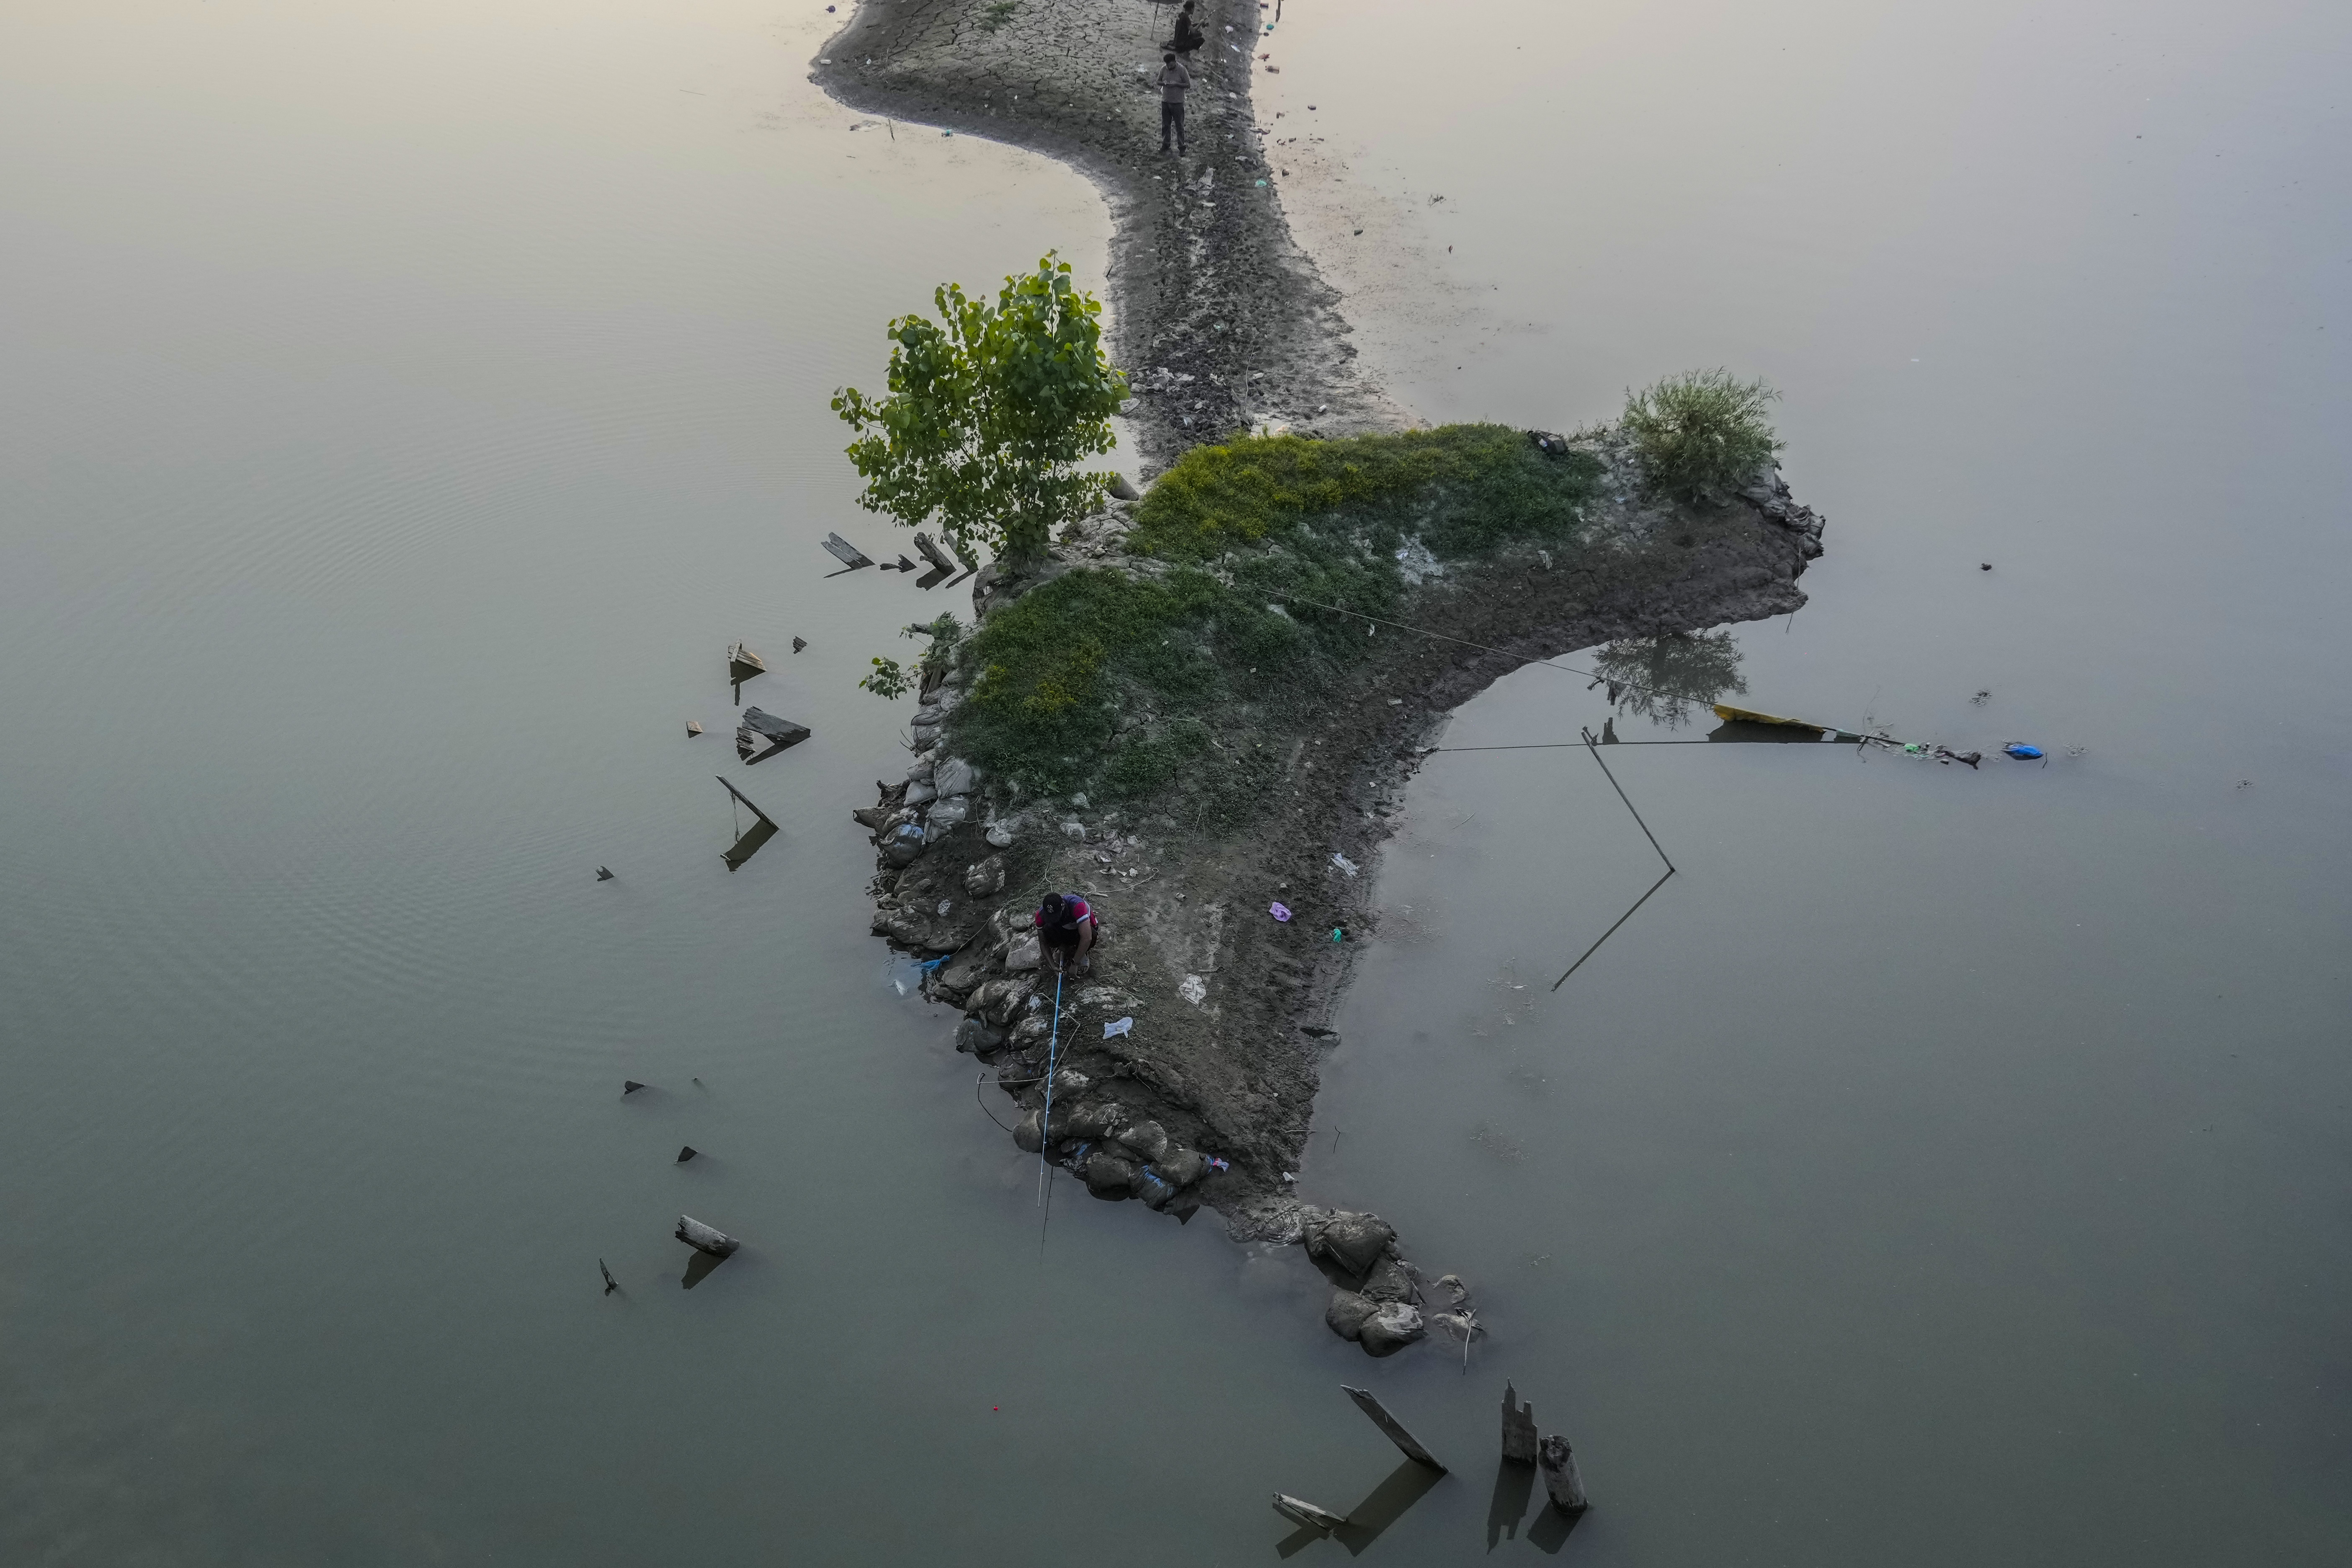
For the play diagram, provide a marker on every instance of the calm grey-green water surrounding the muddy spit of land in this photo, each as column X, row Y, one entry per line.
column 406, row 408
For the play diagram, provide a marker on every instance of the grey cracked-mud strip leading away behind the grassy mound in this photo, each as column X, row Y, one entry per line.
column 1217, row 314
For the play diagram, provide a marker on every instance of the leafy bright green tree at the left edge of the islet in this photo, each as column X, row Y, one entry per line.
column 989, row 415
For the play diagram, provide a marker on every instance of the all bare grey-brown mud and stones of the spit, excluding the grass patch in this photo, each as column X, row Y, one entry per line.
column 1205, row 1099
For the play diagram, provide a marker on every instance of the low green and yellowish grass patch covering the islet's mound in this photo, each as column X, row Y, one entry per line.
column 1128, row 683
